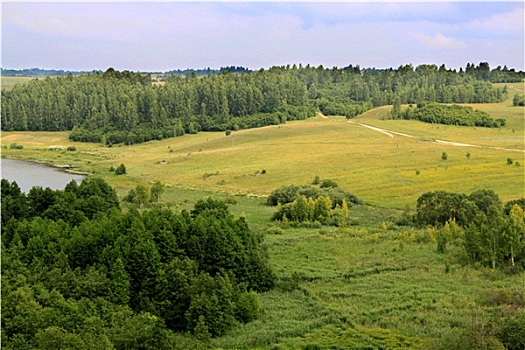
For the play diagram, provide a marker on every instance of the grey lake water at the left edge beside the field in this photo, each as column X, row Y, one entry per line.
column 29, row 174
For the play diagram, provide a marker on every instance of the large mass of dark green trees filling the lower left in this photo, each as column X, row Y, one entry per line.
column 80, row 273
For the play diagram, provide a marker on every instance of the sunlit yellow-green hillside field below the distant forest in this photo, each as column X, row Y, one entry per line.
column 384, row 171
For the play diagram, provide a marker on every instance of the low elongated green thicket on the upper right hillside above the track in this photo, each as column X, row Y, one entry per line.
column 448, row 114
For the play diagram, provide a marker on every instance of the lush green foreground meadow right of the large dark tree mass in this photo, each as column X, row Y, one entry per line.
column 375, row 286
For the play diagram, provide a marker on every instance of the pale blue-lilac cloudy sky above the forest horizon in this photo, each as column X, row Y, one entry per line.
column 162, row 36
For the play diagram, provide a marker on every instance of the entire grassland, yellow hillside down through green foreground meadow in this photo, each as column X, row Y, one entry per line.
column 372, row 285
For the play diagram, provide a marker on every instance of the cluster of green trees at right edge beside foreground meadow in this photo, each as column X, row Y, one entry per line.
column 489, row 233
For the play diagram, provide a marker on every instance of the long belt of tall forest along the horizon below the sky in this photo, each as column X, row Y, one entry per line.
column 124, row 107
